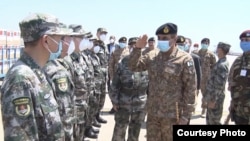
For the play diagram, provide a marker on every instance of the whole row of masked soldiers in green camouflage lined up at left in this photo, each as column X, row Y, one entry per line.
column 62, row 98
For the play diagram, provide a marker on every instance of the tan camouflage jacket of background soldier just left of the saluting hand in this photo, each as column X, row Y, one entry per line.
column 118, row 54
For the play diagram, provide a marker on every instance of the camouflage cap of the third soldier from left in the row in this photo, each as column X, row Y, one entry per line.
column 78, row 31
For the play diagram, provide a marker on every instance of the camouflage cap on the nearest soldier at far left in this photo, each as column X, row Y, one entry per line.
column 36, row 25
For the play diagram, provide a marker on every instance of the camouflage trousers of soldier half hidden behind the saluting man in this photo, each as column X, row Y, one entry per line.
column 124, row 119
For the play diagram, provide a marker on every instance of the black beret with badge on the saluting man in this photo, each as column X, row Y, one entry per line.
column 167, row 28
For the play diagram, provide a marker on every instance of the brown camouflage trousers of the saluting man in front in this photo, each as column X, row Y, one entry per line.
column 159, row 128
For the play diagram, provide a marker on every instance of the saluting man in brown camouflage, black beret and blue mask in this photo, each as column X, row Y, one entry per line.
column 172, row 83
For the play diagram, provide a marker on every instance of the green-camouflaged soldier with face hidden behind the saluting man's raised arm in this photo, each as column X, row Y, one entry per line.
column 128, row 96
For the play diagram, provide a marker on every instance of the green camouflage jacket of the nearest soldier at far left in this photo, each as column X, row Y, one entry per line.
column 29, row 108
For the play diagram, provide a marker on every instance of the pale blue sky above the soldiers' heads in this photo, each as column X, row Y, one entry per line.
column 219, row 20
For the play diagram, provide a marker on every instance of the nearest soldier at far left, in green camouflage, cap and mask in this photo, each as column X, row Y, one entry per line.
column 29, row 108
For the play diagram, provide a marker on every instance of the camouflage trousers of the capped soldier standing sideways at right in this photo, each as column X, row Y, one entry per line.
column 213, row 116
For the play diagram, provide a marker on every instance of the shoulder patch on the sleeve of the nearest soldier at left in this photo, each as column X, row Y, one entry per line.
column 22, row 106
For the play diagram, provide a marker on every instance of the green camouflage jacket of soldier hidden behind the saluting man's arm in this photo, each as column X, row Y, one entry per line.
column 129, row 89
